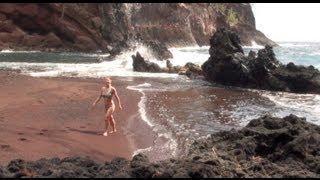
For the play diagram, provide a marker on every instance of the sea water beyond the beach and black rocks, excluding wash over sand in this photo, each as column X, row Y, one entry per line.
column 37, row 63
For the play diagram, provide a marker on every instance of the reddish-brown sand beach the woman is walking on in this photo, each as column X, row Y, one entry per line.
column 51, row 117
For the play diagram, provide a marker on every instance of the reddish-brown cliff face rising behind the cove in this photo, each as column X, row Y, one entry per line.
column 92, row 27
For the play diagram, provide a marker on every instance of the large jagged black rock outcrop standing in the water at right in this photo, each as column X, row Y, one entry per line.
column 228, row 65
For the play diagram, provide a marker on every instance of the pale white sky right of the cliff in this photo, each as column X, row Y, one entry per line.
column 288, row 21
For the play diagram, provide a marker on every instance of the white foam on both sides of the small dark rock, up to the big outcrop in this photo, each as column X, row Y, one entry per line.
column 121, row 66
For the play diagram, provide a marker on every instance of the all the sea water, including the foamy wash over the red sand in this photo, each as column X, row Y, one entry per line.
column 183, row 110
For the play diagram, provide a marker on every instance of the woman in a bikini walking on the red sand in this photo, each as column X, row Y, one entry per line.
column 107, row 93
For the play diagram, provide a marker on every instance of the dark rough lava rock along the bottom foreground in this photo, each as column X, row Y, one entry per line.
column 266, row 147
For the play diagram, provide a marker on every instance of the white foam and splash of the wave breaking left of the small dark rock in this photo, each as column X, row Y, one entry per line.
column 121, row 66
